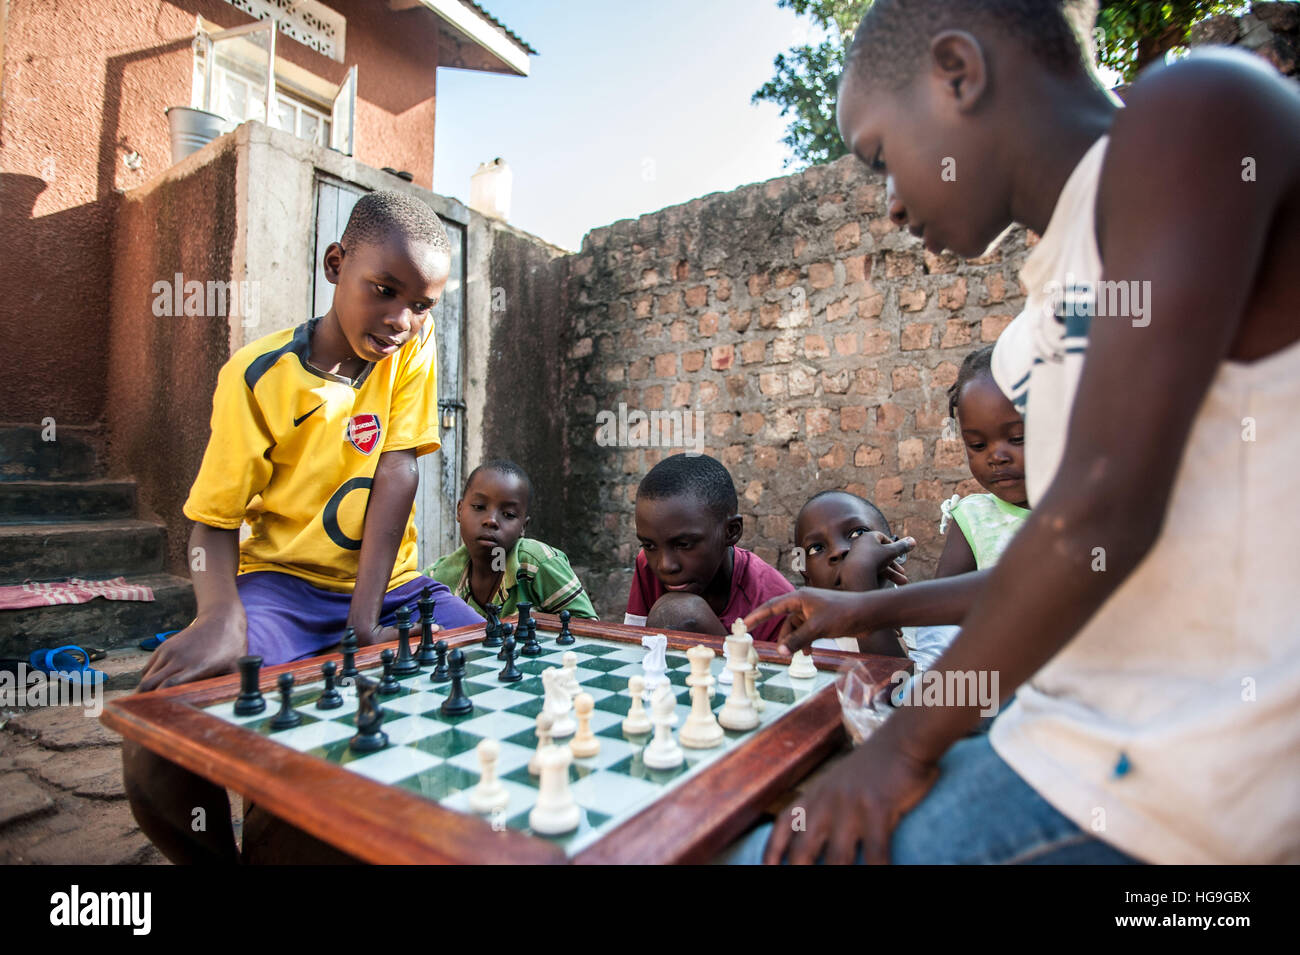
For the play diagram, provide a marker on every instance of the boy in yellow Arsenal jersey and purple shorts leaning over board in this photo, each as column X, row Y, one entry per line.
column 315, row 437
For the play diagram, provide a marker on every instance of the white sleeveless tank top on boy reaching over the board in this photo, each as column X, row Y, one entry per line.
column 1171, row 726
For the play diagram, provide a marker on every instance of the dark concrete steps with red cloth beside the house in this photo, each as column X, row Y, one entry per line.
column 60, row 519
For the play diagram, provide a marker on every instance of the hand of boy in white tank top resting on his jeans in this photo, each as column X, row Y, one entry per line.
column 859, row 802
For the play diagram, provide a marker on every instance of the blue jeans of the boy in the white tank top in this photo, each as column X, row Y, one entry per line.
column 978, row 813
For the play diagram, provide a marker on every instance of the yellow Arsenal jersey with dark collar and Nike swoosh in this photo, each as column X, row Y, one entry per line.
column 294, row 450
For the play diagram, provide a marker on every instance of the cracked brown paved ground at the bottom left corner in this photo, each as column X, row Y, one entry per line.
column 62, row 798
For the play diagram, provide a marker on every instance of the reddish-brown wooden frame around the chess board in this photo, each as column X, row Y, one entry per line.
column 387, row 824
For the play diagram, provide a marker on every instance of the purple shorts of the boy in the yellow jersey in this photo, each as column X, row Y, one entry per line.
column 289, row 619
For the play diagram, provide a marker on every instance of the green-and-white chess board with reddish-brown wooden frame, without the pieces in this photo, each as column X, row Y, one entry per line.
column 424, row 776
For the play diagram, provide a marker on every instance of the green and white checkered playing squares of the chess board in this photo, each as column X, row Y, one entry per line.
column 435, row 757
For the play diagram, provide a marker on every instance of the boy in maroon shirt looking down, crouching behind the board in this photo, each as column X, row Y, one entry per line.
column 690, row 574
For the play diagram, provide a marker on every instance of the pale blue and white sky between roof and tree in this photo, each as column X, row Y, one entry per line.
column 630, row 107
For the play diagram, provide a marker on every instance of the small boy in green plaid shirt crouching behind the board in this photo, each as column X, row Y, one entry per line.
column 496, row 565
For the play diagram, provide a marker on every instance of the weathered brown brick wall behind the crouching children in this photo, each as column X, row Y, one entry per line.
column 817, row 342
